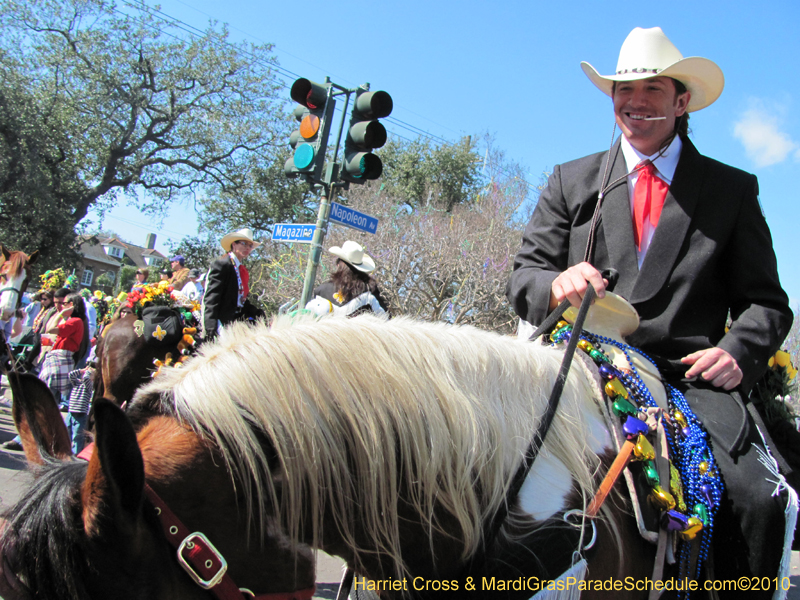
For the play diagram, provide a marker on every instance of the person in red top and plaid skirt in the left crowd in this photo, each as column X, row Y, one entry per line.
column 71, row 332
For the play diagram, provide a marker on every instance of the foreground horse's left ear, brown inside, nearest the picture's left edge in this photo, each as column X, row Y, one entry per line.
column 38, row 419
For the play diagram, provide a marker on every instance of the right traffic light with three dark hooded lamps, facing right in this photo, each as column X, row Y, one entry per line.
column 365, row 133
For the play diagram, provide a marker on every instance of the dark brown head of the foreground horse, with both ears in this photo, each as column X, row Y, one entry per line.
column 91, row 530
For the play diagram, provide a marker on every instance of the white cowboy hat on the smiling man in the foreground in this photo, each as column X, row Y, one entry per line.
column 649, row 53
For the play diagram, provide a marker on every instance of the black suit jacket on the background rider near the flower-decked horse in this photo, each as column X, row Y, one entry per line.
column 220, row 303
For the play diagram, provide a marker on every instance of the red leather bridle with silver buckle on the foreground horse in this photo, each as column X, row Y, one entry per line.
column 200, row 559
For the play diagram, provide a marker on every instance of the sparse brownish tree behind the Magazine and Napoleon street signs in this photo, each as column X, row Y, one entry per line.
column 432, row 263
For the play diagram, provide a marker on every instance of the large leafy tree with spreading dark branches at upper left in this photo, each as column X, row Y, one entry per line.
column 96, row 101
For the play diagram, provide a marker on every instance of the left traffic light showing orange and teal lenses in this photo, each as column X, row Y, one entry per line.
column 310, row 141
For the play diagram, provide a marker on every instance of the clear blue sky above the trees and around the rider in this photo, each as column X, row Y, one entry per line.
column 513, row 70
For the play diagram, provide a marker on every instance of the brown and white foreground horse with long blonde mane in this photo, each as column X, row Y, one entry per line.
column 391, row 444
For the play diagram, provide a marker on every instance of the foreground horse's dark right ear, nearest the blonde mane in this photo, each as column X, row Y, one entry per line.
column 116, row 471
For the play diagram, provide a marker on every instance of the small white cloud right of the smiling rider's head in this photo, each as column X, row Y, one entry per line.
column 759, row 130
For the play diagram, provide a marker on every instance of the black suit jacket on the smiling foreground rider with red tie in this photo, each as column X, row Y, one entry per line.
column 710, row 254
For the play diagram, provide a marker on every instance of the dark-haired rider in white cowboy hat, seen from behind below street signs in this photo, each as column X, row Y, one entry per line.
column 351, row 290
